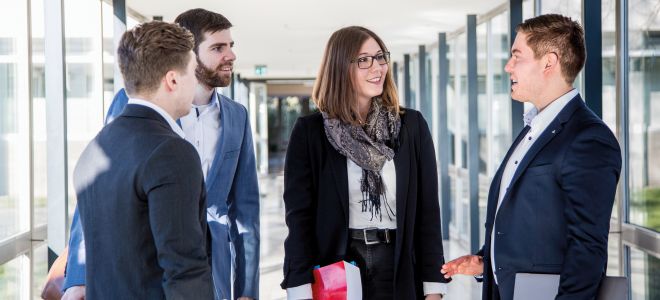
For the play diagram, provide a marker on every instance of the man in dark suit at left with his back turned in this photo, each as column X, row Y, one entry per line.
column 139, row 184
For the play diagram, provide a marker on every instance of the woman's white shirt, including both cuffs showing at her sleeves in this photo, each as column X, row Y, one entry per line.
column 357, row 219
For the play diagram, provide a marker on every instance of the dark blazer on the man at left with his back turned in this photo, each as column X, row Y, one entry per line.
column 142, row 206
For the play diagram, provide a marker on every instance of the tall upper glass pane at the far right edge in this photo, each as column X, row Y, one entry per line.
column 644, row 107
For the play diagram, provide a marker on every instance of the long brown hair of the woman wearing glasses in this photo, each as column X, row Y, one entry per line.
column 334, row 92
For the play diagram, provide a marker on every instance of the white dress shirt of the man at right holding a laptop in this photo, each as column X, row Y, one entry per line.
column 538, row 122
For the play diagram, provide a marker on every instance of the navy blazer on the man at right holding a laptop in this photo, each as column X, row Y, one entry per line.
column 555, row 216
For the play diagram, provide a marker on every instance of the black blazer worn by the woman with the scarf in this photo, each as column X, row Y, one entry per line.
column 316, row 199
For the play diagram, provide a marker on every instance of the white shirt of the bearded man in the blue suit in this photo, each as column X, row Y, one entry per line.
column 202, row 127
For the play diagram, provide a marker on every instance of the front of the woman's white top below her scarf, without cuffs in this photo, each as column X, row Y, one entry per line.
column 359, row 219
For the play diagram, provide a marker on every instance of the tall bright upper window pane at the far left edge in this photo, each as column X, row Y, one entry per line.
column 14, row 119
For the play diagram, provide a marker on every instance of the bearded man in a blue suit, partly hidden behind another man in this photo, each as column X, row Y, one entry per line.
column 219, row 129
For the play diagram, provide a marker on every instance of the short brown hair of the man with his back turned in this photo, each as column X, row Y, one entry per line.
column 150, row 50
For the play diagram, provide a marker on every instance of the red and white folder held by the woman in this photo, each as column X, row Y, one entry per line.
column 338, row 281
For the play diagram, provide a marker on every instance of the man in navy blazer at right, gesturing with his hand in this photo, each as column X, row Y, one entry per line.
column 550, row 202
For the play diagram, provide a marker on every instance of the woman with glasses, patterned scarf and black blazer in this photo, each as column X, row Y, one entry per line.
column 360, row 181
